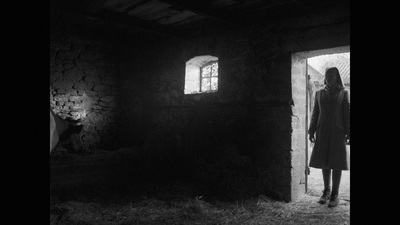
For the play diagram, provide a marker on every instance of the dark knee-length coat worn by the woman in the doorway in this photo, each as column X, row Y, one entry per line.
column 330, row 121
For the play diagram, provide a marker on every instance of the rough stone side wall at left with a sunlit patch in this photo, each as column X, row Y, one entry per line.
column 83, row 83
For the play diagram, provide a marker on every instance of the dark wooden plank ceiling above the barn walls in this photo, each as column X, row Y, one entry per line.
column 181, row 18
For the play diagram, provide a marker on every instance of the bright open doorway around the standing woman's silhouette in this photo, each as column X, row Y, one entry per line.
column 314, row 64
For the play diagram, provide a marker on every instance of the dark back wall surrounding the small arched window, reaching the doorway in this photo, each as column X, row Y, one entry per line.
column 253, row 115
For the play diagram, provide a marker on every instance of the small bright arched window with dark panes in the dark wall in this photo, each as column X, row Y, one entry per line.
column 201, row 75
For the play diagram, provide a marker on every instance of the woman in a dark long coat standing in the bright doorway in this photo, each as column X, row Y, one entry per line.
column 330, row 131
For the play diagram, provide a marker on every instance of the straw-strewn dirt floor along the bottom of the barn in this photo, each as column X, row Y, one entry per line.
column 177, row 204
